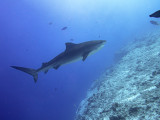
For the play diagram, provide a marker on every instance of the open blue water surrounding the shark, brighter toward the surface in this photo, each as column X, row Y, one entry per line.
column 30, row 34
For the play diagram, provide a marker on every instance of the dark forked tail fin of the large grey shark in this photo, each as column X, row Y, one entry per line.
column 30, row 71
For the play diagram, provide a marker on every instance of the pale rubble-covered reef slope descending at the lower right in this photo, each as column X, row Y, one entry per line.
column 130, row 89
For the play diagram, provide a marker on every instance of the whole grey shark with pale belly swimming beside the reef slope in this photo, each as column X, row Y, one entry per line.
column 72, row 53
